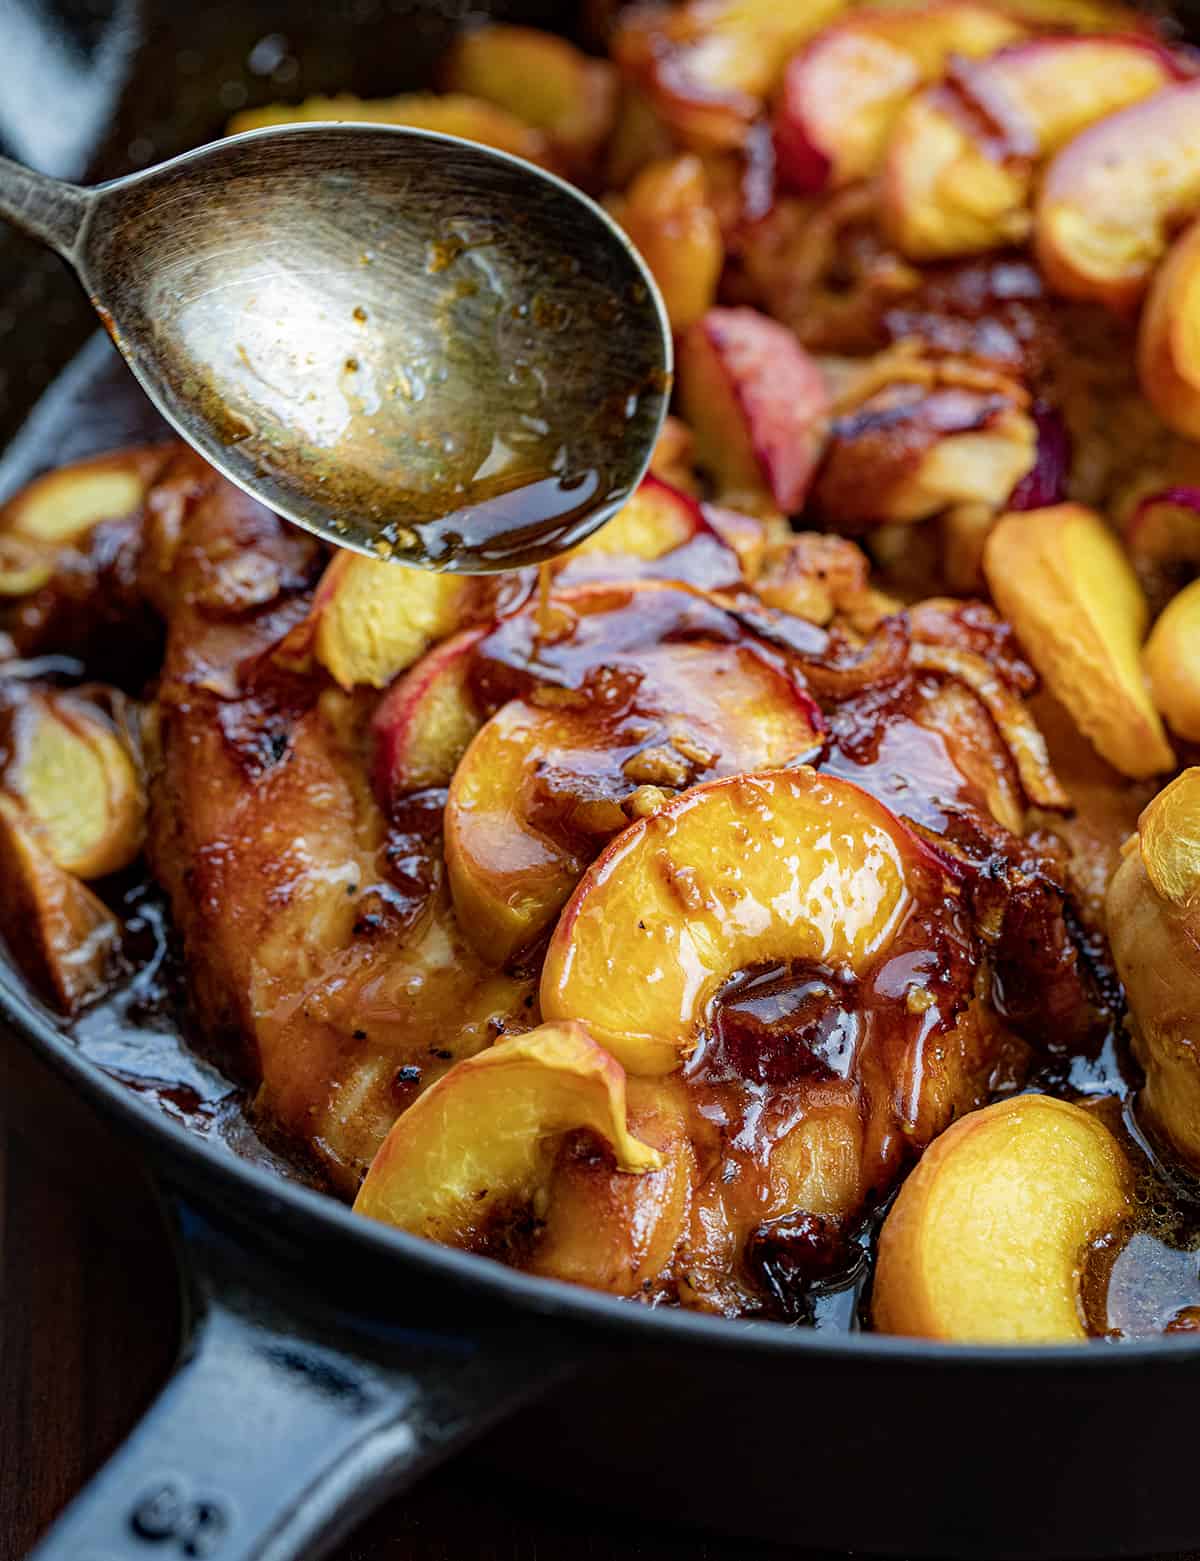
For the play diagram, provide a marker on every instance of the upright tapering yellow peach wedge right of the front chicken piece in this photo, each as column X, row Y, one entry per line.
column 1065, row 585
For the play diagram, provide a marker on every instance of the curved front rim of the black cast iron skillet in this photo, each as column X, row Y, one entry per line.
column 227, row 1175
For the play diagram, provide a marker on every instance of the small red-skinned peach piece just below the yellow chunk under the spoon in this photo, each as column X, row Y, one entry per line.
column 425, row 724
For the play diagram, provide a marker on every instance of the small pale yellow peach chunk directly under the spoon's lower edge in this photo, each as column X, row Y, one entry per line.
column 371, row 619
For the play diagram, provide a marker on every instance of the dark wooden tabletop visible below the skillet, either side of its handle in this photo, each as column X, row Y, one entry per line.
column 88, row 1331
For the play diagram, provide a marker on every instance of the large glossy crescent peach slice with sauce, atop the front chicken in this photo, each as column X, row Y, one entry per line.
column 753, row 870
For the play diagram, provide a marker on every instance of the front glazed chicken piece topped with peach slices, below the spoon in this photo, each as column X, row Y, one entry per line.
column 374, row 889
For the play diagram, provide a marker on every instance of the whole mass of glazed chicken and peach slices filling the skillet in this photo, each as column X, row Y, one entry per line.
column 667, row 919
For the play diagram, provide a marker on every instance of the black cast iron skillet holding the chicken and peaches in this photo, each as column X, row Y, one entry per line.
column 328, row 1360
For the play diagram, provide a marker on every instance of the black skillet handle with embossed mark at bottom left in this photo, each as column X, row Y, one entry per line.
column 285, row 1423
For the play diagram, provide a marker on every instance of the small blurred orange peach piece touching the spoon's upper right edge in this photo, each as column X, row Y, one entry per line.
column 669, row 216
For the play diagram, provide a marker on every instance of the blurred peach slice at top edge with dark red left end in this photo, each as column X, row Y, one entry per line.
column 842, row 94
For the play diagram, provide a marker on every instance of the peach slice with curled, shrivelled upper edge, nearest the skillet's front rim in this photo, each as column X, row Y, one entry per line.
column 477, row 1150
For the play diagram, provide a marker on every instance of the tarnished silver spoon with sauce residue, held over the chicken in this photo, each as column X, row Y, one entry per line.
column 410, row 344
